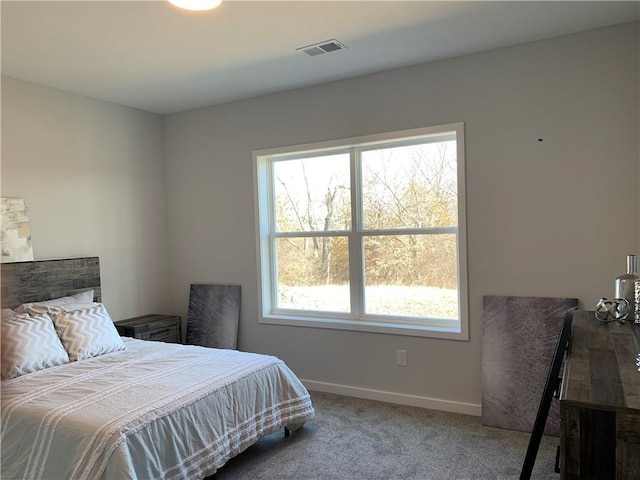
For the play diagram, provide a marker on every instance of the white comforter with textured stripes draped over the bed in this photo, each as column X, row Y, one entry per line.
column 154, row 410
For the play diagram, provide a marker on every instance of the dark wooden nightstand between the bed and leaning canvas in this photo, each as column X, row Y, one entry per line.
column 156, row 327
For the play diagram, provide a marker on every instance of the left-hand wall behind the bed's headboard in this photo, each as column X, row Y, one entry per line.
column 92, row 175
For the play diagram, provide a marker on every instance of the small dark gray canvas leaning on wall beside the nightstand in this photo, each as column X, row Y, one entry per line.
column 214, row 315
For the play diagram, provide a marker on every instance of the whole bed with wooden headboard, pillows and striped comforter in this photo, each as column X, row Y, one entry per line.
column 135, row 409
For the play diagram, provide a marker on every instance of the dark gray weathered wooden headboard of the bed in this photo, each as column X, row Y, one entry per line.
column 23, row 282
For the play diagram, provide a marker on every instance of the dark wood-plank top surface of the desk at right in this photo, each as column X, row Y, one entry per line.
column 600, row 369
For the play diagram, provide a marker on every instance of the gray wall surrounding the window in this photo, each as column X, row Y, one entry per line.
column 537, row 211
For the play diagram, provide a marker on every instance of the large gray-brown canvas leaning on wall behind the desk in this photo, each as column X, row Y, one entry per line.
column 518, row 343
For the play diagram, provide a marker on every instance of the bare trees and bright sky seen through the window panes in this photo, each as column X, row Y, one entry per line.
column 406, row 188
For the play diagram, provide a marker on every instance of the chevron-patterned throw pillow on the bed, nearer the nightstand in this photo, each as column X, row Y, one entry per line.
column 87, row 333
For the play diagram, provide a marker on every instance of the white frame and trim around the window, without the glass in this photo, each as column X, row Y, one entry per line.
column 436, row 328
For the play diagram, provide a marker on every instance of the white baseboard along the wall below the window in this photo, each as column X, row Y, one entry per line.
column 398, row 398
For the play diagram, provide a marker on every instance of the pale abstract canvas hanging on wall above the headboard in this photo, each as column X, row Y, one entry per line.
column 15, row 234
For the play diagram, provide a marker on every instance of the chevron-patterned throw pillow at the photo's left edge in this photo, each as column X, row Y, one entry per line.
column 29, row 344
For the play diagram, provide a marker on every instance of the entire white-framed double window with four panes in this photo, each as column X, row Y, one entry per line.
column 365, row 234
